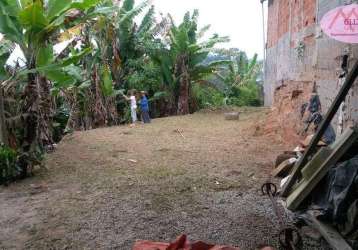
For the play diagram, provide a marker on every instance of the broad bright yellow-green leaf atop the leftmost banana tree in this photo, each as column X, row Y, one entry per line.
column 32, row 17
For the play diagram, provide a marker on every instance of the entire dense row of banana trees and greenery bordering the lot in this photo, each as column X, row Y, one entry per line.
column 80, row 56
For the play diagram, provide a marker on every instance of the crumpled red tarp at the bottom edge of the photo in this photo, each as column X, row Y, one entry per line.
column 180, row 244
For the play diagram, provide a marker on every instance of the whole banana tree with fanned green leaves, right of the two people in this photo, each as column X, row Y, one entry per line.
column 183, row 63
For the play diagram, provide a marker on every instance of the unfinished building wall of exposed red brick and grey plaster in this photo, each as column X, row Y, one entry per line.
column 299, row 54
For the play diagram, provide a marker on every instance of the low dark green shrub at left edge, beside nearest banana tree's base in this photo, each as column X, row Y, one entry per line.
column 8, row 164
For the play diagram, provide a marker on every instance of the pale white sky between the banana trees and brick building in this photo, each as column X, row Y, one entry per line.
column 241, row 20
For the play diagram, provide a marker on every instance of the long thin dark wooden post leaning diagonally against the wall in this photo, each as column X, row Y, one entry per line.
column 327, row 120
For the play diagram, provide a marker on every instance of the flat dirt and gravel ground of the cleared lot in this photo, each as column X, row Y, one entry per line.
column 106, row 188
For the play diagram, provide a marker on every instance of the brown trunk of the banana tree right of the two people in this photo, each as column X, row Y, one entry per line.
column 184, row 84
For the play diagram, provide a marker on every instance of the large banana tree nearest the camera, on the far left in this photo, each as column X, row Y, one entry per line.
column 33, row 25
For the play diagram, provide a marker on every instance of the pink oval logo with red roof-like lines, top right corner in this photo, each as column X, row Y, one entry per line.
column 342, row 23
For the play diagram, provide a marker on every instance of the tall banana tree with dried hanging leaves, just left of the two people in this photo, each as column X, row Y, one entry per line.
column 114, row 40
